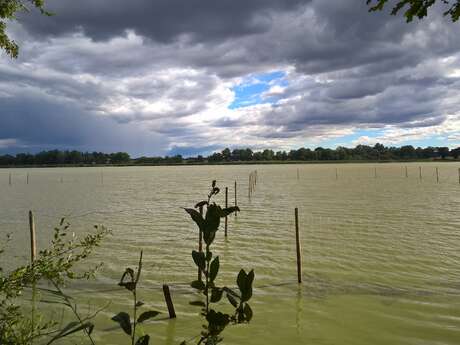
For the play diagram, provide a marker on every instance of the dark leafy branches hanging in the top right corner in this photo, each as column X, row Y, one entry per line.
column 417, row 8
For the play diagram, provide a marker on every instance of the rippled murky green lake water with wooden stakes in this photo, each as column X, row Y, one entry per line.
column 381, row 255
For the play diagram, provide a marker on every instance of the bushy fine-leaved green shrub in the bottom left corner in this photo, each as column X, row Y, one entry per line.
column 54, row 265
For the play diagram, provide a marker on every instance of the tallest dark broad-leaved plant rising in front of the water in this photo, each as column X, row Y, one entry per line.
column 217, row 321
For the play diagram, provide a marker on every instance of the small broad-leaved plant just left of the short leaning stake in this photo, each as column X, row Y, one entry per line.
column 129, row 281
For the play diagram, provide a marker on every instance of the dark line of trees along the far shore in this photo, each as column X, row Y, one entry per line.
column 360, row 154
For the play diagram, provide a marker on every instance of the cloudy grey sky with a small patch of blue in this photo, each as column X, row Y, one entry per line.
column 191, row 77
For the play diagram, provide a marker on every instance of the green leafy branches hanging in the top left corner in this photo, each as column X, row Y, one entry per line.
column 8, row 11
